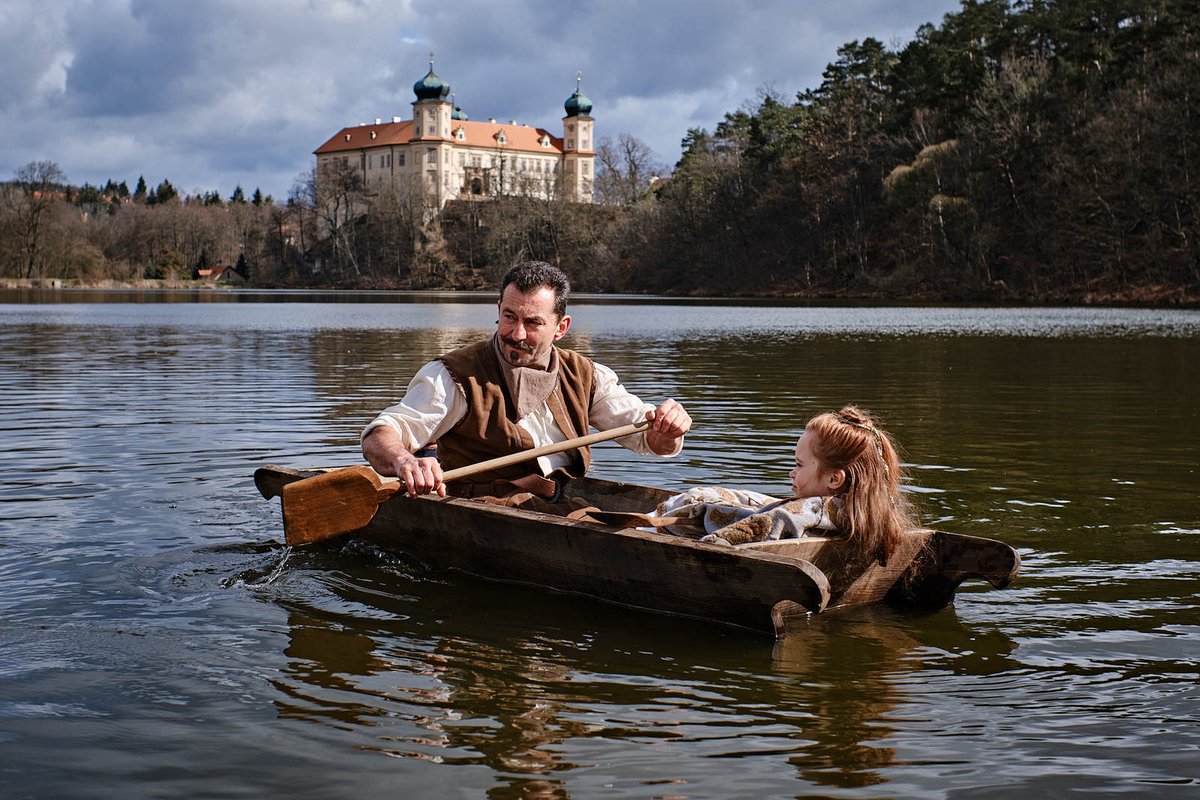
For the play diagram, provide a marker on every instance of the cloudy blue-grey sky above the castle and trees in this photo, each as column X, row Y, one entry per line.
column 213, row 94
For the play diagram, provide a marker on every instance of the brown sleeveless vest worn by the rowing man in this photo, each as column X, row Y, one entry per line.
column 490, row 429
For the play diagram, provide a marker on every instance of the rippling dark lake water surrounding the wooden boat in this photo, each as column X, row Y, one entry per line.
column 158, row 639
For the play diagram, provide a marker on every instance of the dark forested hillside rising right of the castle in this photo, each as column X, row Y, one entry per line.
column 1042, row 149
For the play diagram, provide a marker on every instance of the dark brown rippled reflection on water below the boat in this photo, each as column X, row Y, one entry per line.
column 549, row 695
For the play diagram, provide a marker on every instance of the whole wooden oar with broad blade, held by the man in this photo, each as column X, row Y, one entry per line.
column 347, row 500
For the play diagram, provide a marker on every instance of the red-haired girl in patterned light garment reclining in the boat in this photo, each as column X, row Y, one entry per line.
column 847, row 479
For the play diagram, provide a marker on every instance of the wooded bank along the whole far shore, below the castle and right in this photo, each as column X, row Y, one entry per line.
column 1018, row 153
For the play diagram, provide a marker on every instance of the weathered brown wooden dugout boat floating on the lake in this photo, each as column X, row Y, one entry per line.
column 767, row 587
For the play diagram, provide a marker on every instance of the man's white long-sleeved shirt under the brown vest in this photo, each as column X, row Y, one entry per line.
column 435, row 404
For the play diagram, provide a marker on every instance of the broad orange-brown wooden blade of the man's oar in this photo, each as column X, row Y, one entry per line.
column 333, row 504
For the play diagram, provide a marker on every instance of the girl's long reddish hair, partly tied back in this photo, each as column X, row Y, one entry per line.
column 875, row 510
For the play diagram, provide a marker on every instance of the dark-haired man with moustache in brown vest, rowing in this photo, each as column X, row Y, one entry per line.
column 512, row 393
